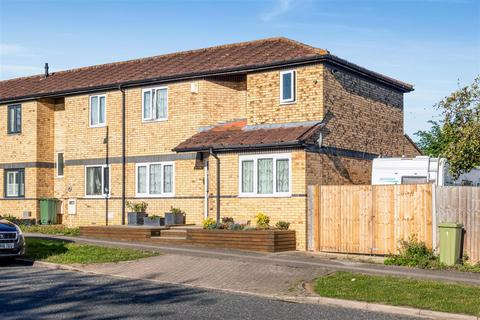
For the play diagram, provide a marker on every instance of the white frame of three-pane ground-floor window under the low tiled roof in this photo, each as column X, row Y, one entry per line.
column 255, row 158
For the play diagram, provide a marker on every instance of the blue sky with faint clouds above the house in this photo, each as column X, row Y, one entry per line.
column 432, row 44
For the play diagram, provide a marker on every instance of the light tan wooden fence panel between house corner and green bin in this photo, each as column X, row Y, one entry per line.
column 368, row 219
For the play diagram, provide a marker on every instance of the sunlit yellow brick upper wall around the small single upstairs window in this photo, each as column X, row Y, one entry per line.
column 263, row 97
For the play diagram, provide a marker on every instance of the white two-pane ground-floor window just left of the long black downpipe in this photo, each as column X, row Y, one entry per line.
column 97, row 180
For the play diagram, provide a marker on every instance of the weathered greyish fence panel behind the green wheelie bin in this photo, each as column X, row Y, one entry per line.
column 461, row 205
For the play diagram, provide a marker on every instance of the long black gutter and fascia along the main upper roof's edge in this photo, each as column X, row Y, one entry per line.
column 403, row 87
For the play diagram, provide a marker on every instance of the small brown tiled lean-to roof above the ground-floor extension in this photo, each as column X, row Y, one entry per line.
column 238, row 135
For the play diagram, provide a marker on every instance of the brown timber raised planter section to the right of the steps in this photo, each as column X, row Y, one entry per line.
column 252, row 240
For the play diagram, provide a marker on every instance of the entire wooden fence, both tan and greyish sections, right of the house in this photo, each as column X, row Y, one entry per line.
column 373, row 219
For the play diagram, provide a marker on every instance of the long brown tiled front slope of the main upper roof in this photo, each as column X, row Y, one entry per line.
column 202, row 61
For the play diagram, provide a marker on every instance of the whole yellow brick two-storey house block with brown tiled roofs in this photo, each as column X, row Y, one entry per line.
column 233, row 129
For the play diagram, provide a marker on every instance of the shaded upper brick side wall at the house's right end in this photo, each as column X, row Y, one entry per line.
column 361, row 115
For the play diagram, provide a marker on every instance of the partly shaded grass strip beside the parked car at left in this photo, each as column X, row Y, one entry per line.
column 64, row 252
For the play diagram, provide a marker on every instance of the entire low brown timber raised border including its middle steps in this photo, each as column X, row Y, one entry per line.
column 252, row 240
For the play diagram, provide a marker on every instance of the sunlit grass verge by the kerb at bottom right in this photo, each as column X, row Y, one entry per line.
column 432, row 295
